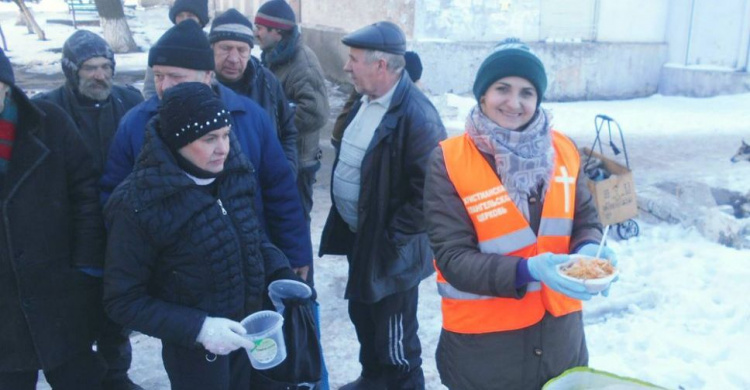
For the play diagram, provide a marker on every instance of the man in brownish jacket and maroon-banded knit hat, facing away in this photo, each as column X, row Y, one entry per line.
column 299, row 71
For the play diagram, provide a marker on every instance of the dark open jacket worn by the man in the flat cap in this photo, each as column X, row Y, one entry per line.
column 390, row 251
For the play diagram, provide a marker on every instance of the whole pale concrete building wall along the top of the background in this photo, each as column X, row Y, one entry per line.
column 593, row 49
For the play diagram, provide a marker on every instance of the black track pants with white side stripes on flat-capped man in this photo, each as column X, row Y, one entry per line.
column 389, row 345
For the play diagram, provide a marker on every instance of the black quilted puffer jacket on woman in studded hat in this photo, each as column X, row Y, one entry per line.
column 177, row 254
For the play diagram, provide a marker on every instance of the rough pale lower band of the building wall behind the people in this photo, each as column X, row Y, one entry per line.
column 576, row 71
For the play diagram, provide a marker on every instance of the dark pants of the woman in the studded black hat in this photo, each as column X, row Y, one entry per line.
column 190, row 369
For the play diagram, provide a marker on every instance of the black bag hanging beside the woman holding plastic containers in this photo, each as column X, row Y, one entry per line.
column 302, row 367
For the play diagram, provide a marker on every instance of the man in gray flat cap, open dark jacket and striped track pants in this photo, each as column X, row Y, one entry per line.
column 376, row 218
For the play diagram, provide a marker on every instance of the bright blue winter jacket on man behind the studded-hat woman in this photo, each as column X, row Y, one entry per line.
column 279, row 203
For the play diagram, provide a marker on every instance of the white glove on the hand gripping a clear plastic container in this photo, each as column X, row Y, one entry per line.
column 222, row 336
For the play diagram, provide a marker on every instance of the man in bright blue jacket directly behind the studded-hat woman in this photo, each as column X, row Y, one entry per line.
column 183, row 54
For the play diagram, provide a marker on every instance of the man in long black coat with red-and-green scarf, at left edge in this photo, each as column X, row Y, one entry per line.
column 53, row 232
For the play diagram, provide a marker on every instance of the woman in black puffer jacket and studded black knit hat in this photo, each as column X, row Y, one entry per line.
column 187, row 257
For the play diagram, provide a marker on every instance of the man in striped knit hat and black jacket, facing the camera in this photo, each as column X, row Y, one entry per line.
column 231, row 39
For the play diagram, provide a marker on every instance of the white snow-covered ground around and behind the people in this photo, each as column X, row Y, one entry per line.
column 676, row 317
